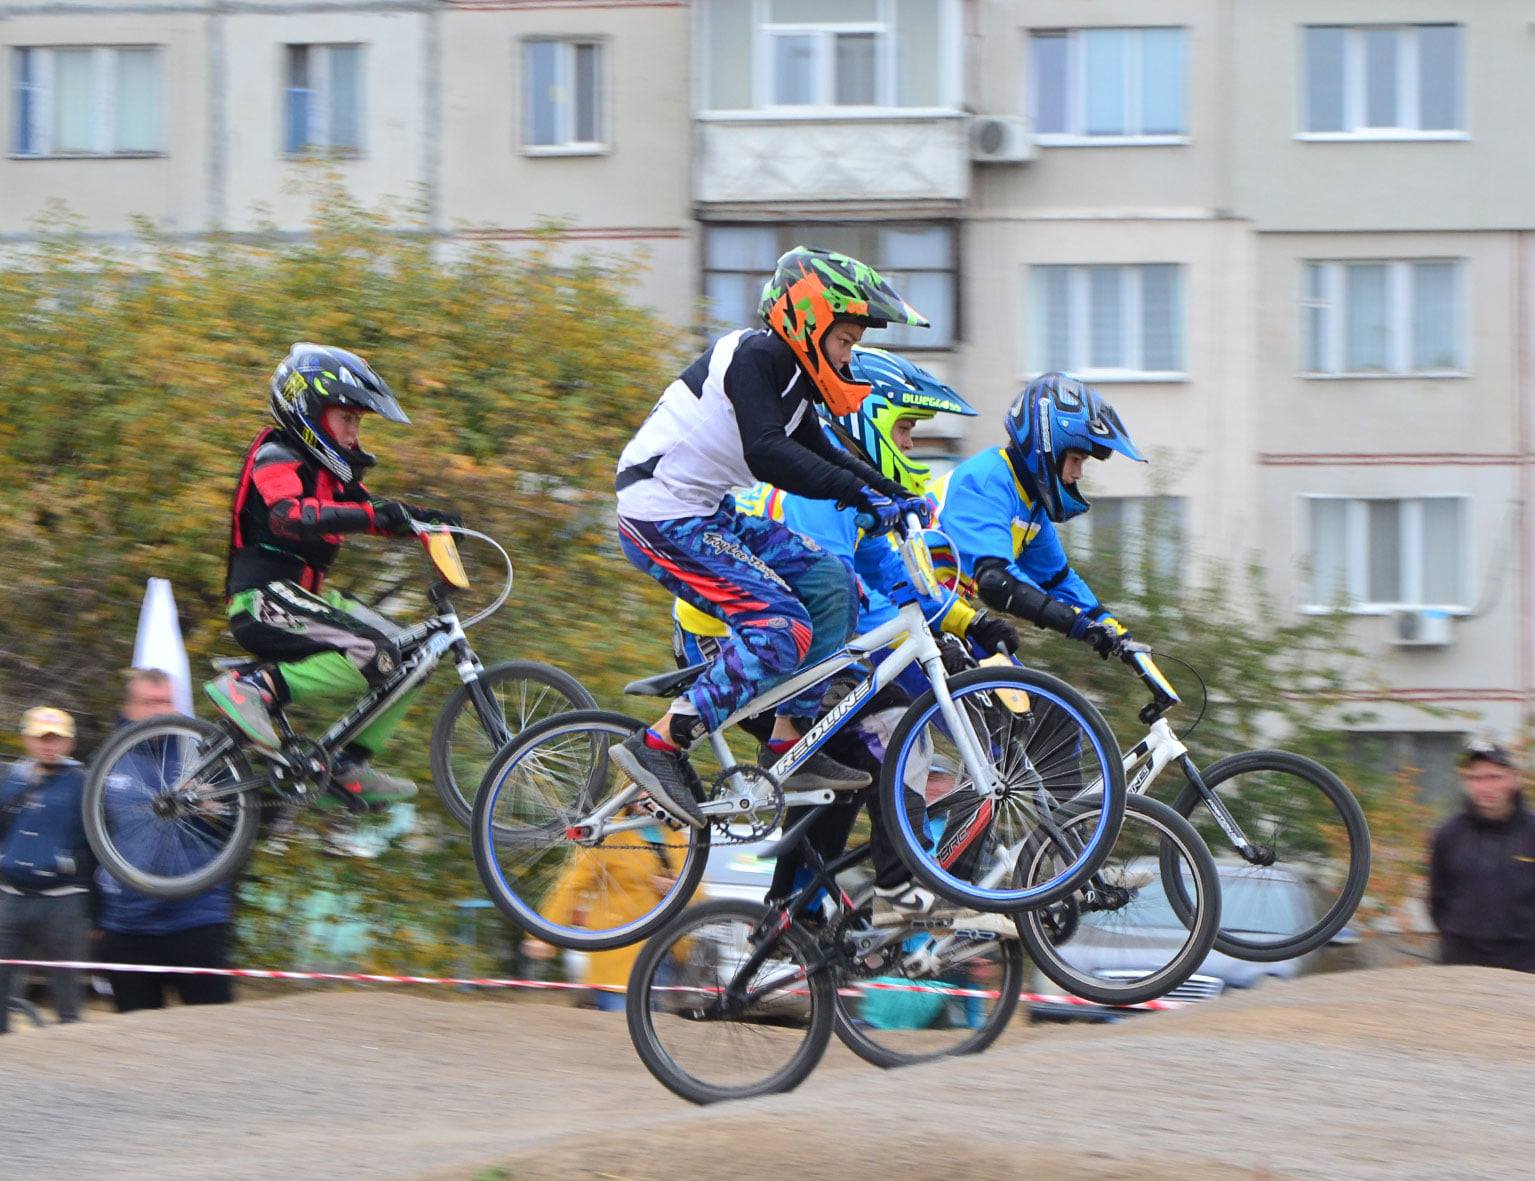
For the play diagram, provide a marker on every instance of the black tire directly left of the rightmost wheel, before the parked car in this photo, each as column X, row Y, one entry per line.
column 1203, row 921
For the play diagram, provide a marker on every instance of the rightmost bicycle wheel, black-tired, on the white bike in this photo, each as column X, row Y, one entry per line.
column 1312, row 853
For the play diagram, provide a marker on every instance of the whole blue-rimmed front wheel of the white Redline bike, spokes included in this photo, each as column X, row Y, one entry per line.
column 1045, row 744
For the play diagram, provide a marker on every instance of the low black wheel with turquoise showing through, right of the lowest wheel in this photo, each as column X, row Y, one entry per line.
column 942, row 994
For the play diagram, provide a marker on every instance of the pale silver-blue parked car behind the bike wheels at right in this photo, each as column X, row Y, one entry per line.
column 1252, row 901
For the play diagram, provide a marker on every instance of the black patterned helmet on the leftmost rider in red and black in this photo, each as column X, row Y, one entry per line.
column 315, row 377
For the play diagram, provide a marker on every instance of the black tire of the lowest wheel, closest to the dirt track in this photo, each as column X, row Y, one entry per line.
column 642, row 1013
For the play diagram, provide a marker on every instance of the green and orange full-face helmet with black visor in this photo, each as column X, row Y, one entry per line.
column 813, row 289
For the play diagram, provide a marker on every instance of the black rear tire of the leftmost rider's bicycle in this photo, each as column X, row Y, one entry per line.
column 222, row 867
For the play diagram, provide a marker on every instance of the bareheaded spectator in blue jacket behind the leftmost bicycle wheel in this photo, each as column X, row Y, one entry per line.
column 180, row 933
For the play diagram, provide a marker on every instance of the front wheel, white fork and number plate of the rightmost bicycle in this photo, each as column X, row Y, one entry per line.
column 1272, row 812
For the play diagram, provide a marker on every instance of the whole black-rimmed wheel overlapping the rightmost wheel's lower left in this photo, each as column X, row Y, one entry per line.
column 1129, row 945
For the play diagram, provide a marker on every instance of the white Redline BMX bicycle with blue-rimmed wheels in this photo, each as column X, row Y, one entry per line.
column 553, row 798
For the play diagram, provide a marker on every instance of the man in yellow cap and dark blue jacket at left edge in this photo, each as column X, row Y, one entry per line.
column 45, row 861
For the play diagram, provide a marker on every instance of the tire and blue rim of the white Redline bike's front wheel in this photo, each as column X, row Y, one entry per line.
column 1106, row 767
